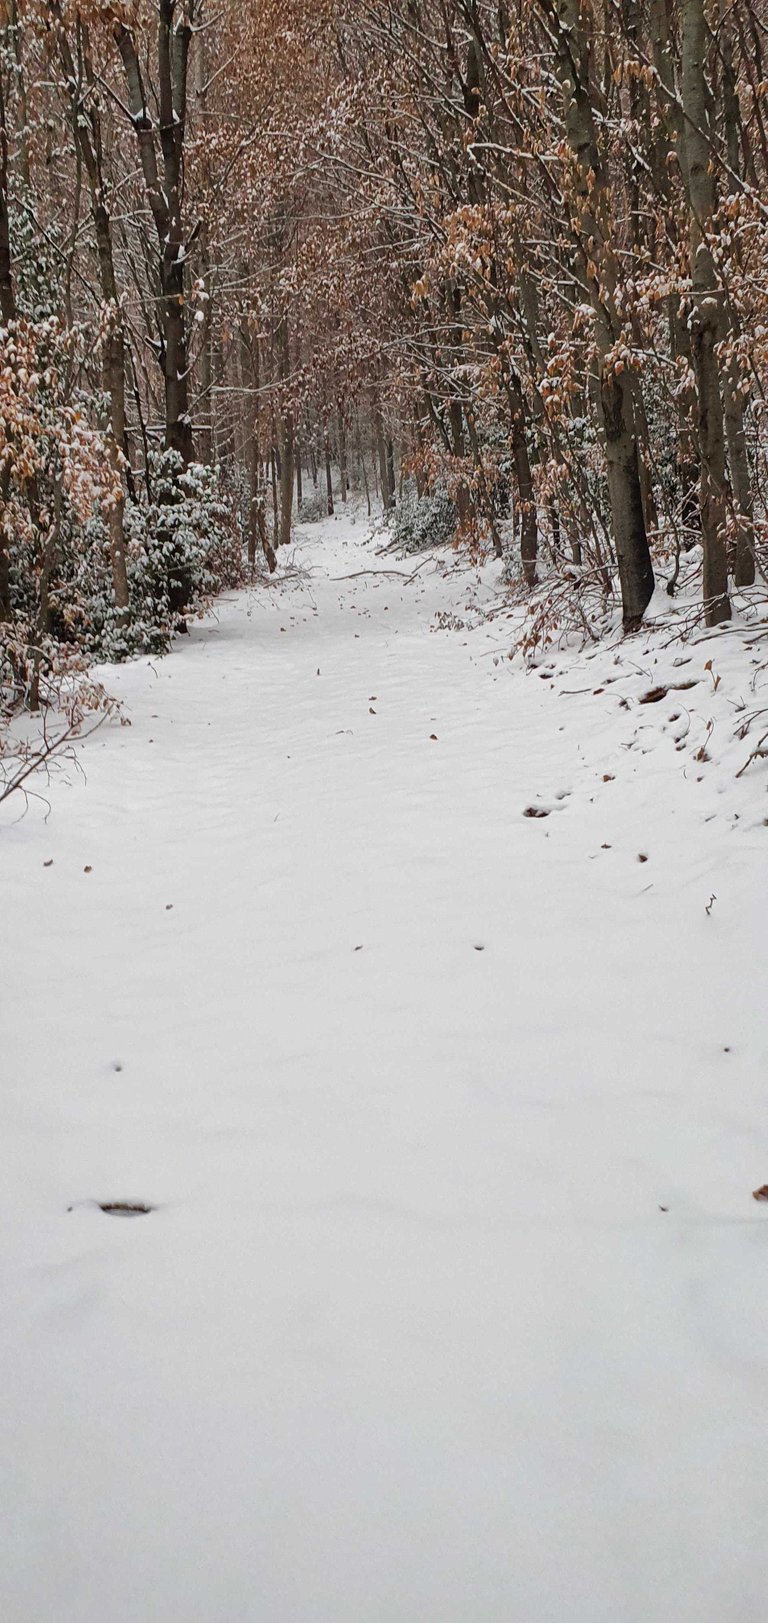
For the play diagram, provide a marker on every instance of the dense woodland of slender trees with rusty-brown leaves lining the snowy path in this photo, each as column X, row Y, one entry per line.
column 504, row 260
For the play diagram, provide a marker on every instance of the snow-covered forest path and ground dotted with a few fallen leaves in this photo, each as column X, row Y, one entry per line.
column 452, row 1302
